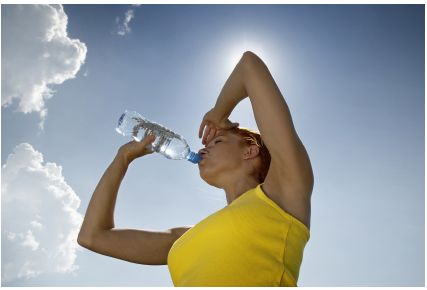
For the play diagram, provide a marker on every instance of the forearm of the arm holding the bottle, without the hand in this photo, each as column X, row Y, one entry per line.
column 100, row 212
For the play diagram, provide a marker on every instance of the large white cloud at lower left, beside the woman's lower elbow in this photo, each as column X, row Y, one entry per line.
column 40, row 221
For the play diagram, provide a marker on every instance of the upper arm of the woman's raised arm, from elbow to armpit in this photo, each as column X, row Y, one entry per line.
column 273, row 117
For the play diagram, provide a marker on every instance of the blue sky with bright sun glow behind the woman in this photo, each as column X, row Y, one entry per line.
column 352, row 75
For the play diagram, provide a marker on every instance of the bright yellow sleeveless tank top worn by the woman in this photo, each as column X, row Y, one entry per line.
column 250, row 242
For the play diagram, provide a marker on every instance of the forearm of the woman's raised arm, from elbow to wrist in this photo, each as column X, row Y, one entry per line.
column 233, row 91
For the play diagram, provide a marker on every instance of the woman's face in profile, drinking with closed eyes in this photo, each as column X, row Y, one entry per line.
column 222, row 156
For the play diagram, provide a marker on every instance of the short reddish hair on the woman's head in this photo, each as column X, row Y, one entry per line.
column 251, row 137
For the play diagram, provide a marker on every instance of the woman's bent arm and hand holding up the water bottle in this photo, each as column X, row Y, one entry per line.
column 98, row 233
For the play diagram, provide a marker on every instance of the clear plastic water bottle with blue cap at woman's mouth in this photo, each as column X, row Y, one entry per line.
column 167, row 142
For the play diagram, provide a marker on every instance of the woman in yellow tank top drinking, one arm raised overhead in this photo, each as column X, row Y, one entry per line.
column 259, row 237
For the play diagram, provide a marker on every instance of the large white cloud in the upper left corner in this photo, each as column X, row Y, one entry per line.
column 36, row 53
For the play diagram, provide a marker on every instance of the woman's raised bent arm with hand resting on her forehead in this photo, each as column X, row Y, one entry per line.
column 251, row 77
